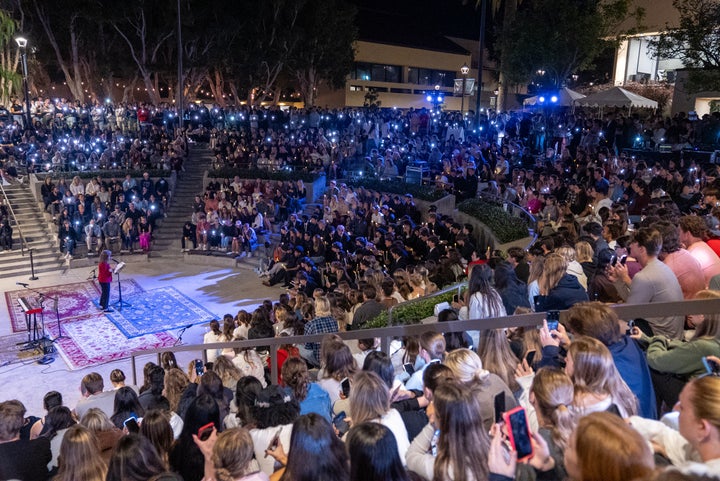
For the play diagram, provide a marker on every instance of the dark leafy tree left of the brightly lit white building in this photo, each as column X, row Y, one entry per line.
column 559, row 37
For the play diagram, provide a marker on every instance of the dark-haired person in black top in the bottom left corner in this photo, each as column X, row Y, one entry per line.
column 20, row 458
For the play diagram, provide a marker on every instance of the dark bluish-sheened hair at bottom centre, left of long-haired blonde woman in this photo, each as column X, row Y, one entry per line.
column 373, row 454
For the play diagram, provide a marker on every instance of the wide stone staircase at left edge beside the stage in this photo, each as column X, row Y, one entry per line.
column 37, row 233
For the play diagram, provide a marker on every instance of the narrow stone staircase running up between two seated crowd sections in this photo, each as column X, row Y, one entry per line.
column 166, row 239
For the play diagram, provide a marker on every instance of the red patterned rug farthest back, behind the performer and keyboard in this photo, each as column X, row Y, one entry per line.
column 75, row 301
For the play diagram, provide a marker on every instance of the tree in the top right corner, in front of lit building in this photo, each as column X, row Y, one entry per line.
column 696, row 42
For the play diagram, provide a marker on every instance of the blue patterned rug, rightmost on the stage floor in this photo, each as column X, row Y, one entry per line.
column 158, row 310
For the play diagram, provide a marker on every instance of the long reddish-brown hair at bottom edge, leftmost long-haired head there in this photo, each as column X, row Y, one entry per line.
column 80, row 457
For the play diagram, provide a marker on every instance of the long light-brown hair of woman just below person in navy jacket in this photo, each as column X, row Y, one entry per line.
column 594, row 372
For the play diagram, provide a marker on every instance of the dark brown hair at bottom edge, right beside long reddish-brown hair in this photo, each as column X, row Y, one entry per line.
column 134, row 459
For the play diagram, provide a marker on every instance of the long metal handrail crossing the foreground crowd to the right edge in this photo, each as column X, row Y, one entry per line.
column 386, row 334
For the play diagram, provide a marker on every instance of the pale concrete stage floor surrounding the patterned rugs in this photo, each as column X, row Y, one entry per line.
column 221, row 289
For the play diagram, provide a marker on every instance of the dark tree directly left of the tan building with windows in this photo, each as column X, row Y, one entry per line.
column 325, row 52
